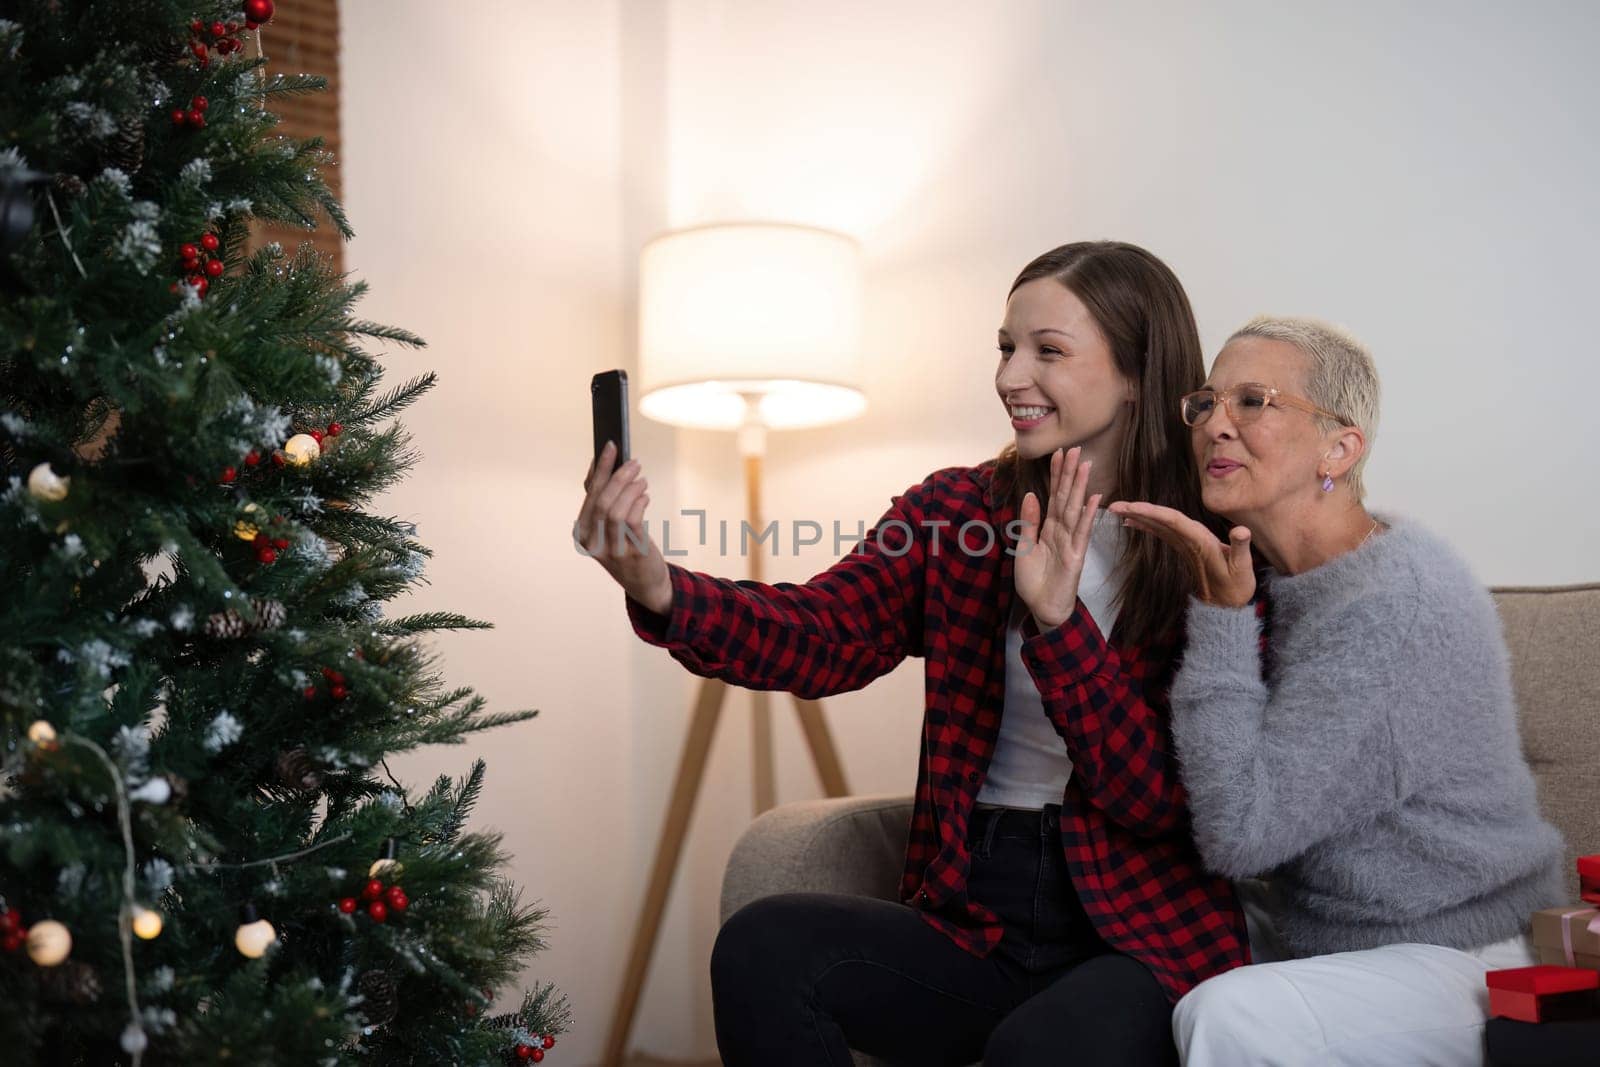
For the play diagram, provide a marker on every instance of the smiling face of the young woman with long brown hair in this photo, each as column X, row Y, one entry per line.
column 1057, row 377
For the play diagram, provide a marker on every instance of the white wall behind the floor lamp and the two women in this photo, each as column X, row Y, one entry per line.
column 1422, row 174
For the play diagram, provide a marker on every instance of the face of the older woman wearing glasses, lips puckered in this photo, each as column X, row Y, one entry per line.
column 1271, row 465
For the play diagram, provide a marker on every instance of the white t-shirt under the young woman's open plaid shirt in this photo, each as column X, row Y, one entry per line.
column 1031, row 767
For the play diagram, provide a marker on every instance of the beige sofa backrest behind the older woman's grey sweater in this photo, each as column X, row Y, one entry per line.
column 1554, row 639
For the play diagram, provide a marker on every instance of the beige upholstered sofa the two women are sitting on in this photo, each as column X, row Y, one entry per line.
column 857, row 844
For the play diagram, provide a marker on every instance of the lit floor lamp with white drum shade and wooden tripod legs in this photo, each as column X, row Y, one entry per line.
column 750, row 329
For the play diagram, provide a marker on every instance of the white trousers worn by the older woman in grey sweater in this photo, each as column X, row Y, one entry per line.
column 1406, row 1005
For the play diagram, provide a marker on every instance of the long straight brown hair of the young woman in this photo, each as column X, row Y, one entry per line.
column 1145, row 316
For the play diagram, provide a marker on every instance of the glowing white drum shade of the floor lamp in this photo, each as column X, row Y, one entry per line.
column 750, row 310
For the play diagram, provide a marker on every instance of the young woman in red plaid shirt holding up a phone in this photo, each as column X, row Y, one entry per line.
column 1052, row 897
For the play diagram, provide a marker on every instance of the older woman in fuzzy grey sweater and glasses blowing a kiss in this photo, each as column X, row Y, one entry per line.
column 1362, row 759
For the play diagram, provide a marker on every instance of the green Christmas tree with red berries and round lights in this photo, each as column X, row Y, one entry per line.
column 204, row 855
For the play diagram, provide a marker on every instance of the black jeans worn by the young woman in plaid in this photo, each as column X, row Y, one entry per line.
column 804, row 978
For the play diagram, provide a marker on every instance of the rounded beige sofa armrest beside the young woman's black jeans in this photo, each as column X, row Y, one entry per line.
column 854, row 845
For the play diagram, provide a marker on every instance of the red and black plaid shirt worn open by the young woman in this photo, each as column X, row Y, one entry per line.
column 910, row 589
